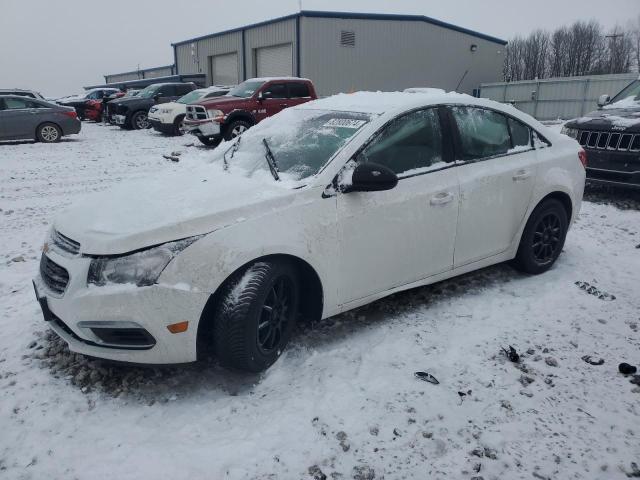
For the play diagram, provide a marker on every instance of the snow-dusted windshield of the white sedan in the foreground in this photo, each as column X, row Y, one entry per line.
column 301, row 142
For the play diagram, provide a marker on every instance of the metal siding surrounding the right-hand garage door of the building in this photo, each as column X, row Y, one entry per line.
column 269, row 35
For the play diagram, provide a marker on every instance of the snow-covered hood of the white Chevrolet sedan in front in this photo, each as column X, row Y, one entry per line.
column 170, row 206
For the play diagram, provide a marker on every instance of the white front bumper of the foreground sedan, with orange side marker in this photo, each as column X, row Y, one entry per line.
column 93, row 320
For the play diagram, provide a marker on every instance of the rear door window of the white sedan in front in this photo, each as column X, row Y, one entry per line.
column 482, row 133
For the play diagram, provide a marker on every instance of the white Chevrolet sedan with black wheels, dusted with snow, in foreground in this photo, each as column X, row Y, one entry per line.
column 320, row 209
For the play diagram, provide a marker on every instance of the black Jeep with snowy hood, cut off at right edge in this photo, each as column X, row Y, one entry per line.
column 611, row 137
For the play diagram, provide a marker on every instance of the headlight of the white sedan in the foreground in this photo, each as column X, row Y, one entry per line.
column 141, row 268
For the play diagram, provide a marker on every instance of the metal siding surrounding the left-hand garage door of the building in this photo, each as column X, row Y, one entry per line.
column 194, row 57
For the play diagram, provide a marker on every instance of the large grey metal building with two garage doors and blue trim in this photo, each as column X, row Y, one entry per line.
column 343, row 52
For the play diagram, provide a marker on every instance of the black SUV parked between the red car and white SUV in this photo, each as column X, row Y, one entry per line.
column 132, row 113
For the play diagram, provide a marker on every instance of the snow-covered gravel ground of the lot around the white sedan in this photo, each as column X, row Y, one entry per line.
column 343, row 400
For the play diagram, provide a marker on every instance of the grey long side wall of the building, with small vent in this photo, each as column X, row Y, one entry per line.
column 393, row 55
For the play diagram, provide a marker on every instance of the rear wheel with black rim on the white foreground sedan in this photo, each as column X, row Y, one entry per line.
column 543, row 238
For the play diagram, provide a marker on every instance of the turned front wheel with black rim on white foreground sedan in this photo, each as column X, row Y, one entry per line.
column 256, row 315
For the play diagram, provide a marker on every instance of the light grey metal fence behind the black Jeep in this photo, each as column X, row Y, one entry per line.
column 557, row 98
